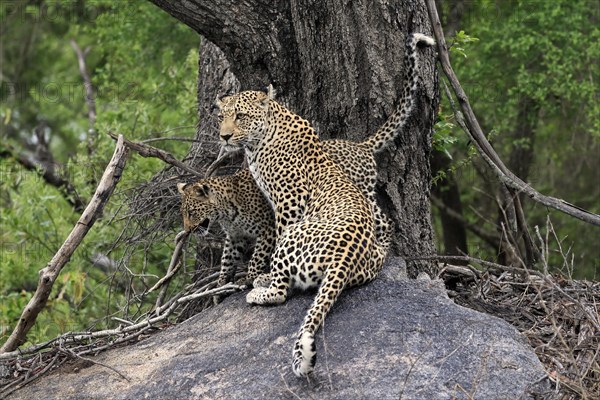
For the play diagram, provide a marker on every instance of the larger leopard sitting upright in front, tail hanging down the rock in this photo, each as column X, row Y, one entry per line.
column 325, row 225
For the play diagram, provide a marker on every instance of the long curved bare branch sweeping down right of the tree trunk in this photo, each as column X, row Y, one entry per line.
column 483, row 146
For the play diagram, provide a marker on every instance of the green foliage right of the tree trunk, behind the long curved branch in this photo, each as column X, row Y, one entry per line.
column 536, row 63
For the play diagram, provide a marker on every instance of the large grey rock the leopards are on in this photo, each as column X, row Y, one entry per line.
column 393, row 338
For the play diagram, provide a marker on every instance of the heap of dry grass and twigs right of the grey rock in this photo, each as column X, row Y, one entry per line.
column 558, row 316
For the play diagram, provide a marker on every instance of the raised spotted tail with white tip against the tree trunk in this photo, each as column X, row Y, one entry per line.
column 394, row 124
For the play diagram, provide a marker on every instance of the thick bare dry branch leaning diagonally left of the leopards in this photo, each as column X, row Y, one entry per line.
column 48, row 274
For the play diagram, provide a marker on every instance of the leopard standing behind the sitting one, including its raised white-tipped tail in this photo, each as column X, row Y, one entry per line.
column 235, row 201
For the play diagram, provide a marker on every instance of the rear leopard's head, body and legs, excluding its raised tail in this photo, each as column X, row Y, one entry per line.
column 244, row 214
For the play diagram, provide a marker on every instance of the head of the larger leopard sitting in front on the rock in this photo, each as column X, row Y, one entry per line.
column 242, row 118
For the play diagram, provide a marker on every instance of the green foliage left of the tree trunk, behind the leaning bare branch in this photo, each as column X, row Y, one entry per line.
column 143, row 66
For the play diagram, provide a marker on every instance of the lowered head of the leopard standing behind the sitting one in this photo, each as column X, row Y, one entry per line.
column 201, row 202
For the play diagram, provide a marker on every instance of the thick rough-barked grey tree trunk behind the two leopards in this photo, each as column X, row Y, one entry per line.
column 340, row 65
